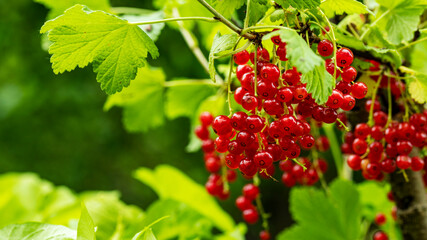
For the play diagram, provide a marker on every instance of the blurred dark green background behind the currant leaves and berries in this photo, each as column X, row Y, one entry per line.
column 54, row 125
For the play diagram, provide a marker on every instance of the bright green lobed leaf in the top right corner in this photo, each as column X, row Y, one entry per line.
column 400, row 18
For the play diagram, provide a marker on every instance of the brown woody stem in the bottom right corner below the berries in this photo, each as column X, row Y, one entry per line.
column 411, row 202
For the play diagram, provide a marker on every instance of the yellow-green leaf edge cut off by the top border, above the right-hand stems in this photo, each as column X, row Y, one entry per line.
column 340, row 7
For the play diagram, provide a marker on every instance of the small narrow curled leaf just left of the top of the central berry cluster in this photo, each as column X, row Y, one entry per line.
column 219, row 45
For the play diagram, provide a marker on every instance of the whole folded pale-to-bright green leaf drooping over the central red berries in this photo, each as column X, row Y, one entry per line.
column 319, row 81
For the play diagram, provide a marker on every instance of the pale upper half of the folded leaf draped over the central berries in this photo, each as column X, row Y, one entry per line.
column 298, row 52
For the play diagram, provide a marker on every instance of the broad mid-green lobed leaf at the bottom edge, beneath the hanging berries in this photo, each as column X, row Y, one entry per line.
column 316, row 213
